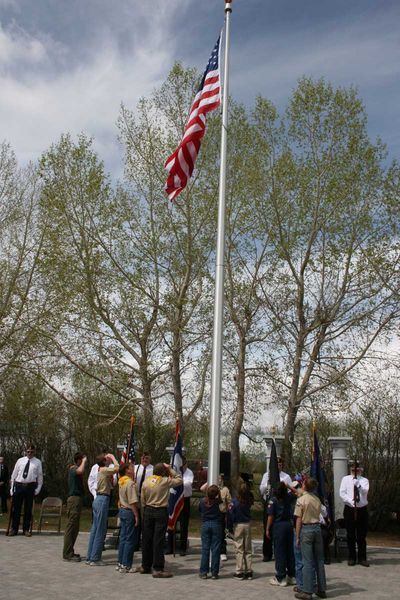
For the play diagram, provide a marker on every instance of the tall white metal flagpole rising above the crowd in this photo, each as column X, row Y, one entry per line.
column 216, row 376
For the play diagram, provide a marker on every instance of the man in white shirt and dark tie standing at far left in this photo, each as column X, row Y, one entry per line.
column 26, row 482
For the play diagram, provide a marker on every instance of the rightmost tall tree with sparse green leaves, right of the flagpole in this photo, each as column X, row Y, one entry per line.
column 327, row 208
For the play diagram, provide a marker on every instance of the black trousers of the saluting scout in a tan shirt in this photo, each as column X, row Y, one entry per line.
column 154, row 528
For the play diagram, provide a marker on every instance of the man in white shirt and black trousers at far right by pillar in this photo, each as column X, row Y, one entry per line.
column 354, row 493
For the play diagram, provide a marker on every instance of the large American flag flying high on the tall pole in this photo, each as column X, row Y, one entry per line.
column 180, row 164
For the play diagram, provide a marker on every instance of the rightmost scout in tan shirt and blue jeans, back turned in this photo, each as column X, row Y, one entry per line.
column 309, row 538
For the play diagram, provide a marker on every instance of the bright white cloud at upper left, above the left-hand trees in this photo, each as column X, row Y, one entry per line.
column 39, row 102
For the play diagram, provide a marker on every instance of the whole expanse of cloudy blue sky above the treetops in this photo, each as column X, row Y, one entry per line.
column 66, row 65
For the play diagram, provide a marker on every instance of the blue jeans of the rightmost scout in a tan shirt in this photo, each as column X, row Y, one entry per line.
column 312, row 551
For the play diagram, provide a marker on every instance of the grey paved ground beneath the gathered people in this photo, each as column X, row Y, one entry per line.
column 33, row 568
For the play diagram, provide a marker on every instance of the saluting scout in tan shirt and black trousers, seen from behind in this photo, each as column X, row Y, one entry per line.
column 154, row 502
